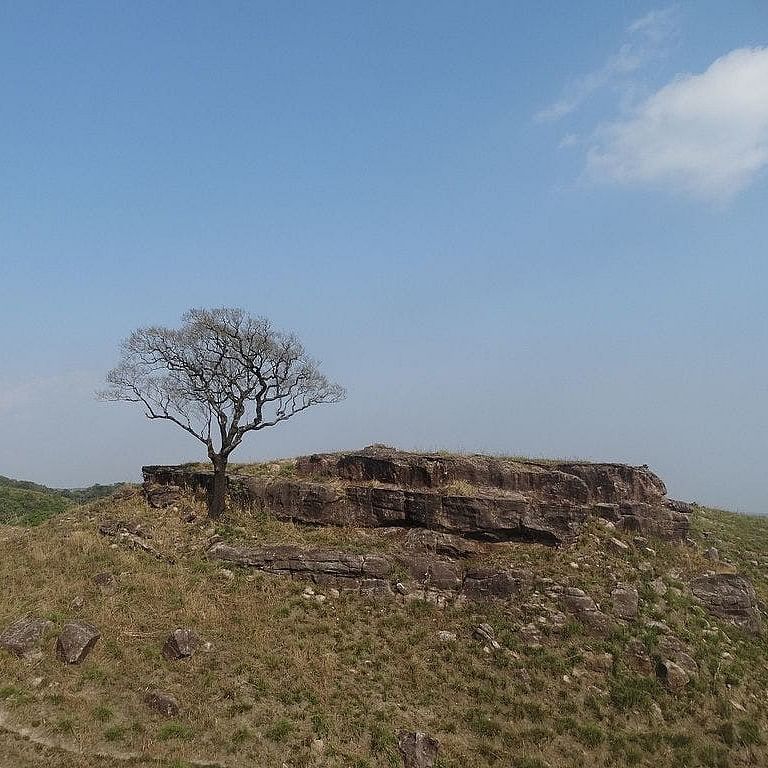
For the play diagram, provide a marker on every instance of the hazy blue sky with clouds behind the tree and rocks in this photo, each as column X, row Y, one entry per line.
column 512, row 227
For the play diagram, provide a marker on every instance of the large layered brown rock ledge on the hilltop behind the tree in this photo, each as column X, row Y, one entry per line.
column 478, row 497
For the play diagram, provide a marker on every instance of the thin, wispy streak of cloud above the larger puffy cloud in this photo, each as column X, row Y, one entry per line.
column 647, row 38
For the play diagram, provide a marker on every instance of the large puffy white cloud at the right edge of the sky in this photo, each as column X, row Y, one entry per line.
column 703, row 134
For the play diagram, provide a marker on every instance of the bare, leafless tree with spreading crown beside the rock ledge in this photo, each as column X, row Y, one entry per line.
column 220, row 375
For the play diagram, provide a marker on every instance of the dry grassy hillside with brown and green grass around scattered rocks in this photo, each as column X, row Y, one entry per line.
column 291, row 680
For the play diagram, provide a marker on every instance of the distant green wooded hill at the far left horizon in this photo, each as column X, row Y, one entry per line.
column 23, row 502
